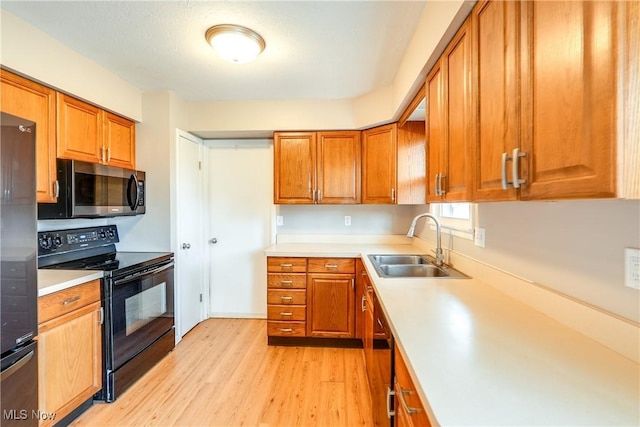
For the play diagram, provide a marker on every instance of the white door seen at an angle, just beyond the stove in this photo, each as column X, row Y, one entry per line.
column 191, row 243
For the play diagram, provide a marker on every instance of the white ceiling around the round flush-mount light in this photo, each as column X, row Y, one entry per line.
column 315, row 49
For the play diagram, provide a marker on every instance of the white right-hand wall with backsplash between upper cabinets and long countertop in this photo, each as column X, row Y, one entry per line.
column 573, row 247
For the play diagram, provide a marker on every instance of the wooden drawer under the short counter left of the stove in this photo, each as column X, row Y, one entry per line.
column 63, row 302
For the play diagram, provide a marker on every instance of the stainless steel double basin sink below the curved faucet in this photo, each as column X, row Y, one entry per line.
column 413, row 266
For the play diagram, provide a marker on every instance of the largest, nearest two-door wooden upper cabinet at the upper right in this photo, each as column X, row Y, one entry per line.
column 548, row 127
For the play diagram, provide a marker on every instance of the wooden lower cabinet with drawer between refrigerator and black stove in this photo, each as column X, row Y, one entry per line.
column 69, row 349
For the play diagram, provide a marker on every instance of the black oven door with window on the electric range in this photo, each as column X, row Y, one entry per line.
column 142, row 311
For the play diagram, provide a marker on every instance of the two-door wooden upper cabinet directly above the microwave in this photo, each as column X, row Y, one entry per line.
column 90, row 134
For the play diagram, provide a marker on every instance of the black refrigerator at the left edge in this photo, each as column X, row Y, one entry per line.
column 18, row 273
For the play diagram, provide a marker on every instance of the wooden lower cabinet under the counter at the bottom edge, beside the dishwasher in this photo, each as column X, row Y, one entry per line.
column 408, row 406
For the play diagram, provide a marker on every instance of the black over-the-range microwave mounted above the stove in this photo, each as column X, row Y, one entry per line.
column 90, row 190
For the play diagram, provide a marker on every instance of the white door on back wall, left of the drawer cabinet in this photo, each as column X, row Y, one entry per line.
column 240, row 211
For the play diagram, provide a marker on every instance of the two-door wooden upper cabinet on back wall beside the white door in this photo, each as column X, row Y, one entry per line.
column 317, row 167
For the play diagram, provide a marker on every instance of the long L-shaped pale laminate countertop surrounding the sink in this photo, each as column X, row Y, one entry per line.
column 481, row 358
